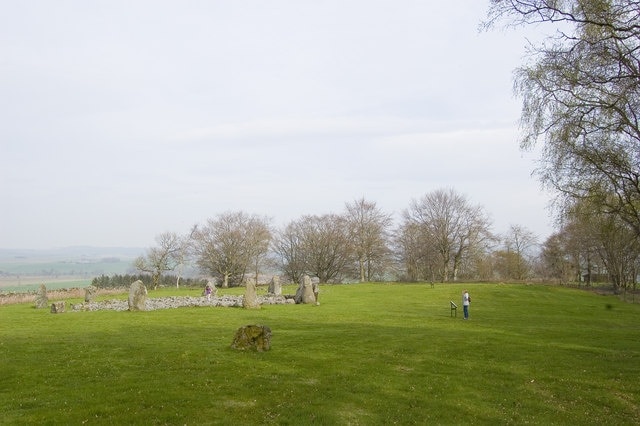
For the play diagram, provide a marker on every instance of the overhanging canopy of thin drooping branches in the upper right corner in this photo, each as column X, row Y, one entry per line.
column 581, row 98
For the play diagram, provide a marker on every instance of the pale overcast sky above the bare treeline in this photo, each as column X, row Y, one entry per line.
column 122, row 120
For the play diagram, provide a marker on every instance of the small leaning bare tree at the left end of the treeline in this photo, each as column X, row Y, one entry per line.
column 166, row 256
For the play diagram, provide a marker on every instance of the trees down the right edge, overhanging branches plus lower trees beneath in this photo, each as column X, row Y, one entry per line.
column 580, row 95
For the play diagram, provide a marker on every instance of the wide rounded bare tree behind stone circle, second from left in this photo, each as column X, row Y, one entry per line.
column 226, row 247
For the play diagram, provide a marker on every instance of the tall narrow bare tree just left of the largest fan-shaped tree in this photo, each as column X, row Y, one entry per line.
column 369, row 232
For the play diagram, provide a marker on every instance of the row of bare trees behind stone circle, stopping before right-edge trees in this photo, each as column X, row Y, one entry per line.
column 440, row 237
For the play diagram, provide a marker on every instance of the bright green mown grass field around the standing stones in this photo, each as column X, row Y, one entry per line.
column 370, row 354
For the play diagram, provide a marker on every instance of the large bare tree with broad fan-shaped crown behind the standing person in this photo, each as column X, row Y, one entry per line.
column 451, row 225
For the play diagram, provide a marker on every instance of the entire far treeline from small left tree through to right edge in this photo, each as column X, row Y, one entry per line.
column 440, row 237
